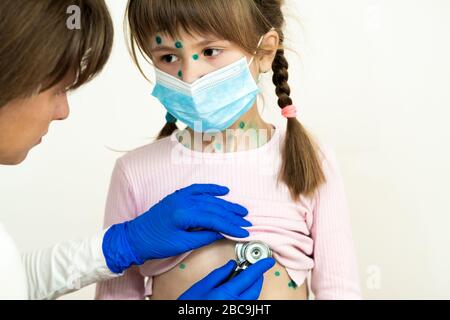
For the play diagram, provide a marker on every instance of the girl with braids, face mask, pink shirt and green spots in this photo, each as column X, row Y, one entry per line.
column 207, row 55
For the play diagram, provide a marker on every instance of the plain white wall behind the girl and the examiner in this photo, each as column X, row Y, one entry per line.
column 372, row 80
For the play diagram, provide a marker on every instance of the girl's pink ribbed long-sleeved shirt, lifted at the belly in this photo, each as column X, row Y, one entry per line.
column 311, row 234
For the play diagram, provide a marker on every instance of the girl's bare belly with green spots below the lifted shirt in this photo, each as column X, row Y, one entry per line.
column 170, row 285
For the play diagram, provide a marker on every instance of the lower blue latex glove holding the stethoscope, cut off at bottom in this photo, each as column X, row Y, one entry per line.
column 246, row 285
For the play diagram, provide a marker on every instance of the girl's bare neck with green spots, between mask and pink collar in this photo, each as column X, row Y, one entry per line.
column 249, row 132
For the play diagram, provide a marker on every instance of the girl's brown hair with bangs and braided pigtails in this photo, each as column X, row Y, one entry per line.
column 242, row 22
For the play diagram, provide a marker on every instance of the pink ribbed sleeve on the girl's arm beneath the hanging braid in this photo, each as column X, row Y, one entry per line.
column 335, row 272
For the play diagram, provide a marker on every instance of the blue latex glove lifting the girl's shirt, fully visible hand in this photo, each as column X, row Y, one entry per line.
column 166, row 230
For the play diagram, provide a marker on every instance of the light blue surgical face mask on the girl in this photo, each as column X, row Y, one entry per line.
column 213, row 102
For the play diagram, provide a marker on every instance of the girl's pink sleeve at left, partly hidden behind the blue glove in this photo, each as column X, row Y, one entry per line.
column 120, row 207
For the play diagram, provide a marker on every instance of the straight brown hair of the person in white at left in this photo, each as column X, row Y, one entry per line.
column 38, row 49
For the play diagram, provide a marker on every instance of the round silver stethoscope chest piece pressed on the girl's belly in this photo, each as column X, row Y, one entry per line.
column 249, row 253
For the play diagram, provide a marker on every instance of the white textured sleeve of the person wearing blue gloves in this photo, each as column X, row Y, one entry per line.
column 52, row 272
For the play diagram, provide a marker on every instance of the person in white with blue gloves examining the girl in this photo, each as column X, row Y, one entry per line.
column 41, row 58
